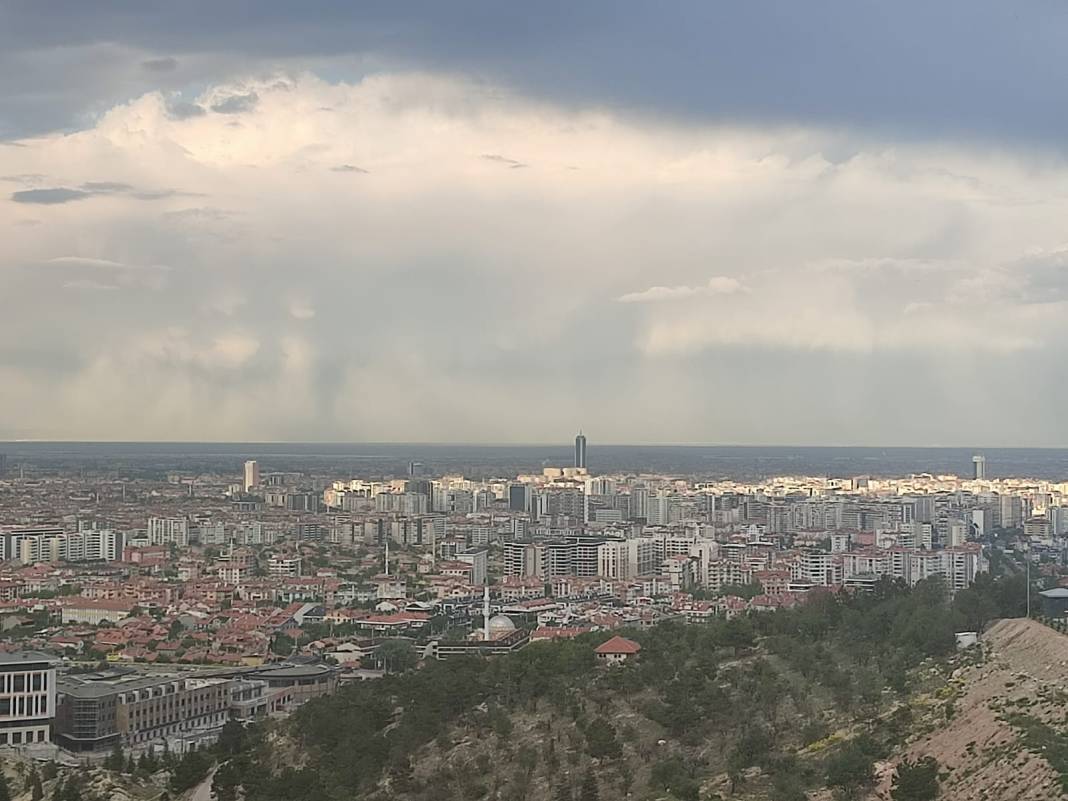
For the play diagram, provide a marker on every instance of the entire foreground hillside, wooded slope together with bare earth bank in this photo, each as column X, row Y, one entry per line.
column 829, row 701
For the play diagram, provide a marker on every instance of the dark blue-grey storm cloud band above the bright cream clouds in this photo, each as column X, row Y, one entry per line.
column 972, row 68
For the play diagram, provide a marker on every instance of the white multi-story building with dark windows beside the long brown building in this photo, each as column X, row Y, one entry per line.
column 27, row 698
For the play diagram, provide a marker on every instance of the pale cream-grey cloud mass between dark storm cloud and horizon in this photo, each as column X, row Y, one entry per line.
column 872, row 328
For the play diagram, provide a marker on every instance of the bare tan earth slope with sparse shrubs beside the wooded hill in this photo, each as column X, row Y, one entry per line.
column 991, row 725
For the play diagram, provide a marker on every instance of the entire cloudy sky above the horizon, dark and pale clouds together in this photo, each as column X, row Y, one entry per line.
column 771, row 223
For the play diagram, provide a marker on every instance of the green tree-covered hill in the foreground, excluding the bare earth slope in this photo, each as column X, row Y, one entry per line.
column 763, row 708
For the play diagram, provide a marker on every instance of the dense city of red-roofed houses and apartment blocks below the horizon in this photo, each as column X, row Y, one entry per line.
column 143, row 614
